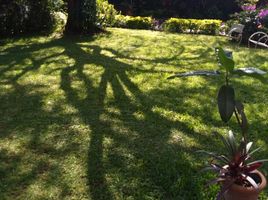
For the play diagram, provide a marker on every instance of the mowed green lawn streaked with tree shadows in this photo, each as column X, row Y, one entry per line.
column 96, row 118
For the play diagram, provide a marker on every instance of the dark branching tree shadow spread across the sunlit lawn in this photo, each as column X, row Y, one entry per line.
column 140, row 161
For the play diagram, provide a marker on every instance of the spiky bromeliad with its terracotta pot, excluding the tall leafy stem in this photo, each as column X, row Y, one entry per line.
column 236, row 171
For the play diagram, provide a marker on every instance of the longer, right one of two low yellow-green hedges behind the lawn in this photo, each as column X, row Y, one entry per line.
column 205, row 26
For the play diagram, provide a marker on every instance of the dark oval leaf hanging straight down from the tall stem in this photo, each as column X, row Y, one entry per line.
column 226, row 102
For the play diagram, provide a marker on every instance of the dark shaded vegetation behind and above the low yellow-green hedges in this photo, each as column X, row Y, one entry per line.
column 200, row 9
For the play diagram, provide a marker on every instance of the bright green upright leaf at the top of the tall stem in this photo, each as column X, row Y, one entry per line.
column 225, row 62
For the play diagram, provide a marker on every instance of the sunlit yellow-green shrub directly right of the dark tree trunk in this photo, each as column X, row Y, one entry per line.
column 106, row 13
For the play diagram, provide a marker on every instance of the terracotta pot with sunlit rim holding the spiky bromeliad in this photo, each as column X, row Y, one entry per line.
column 237, row 192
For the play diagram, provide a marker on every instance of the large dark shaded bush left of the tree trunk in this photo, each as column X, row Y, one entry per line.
column 27, row 16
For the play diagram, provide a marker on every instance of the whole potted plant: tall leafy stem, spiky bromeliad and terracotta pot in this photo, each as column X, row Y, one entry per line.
column 237, row 173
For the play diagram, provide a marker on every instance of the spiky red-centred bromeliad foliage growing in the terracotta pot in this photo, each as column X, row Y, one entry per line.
column 235, row 166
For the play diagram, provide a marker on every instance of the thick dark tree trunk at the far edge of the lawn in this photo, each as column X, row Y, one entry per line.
column 81, row 17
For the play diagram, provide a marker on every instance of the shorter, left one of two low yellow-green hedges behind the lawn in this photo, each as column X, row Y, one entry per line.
column 133, row 22
